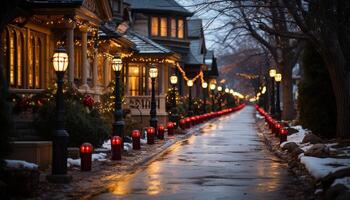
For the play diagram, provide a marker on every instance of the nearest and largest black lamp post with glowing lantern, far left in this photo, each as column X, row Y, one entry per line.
column 60, row 137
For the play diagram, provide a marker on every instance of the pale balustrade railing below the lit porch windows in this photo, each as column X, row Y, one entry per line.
column 142, row 104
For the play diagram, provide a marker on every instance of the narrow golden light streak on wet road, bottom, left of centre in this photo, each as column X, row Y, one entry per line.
column 154, row 185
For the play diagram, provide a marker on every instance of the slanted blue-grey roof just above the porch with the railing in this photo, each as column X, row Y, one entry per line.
column 145, row 45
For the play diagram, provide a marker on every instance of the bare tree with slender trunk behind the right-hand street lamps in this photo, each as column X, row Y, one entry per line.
column 264, row 21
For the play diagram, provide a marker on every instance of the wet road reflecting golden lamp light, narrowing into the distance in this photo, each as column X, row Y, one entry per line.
column 227, row 160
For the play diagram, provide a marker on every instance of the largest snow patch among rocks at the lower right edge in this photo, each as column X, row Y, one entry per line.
column 320, row 167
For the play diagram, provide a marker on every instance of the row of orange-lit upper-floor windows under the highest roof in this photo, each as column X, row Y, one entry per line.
column 167, row 27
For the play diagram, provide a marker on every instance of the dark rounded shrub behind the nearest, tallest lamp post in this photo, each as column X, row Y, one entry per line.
column 83, row 123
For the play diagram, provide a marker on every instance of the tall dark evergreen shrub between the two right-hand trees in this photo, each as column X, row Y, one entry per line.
column 316, row 98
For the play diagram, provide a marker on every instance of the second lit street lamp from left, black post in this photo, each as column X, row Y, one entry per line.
column 118, row 125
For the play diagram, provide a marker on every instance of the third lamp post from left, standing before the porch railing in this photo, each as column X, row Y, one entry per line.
column 153, row 74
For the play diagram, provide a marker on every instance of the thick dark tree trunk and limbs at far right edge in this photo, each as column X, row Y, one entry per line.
column 326, row 24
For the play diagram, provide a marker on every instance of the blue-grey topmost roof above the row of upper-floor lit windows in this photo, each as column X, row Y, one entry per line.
column 163, row 6
